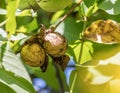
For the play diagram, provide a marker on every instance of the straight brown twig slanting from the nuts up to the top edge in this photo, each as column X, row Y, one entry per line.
column 67, row 14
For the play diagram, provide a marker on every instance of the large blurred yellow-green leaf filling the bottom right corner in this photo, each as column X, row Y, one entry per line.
column 96, row 78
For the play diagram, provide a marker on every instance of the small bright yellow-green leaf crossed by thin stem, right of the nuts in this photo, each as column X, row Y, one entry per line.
column 87, row 50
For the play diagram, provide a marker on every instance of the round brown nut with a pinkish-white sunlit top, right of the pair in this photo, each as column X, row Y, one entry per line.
column 55, row 44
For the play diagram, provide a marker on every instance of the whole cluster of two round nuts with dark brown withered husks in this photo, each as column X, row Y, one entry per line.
column 35, row 50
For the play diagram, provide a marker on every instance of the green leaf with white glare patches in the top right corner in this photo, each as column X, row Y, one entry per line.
column 110, row 6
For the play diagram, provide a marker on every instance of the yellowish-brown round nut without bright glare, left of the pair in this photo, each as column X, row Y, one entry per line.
column 33, row 54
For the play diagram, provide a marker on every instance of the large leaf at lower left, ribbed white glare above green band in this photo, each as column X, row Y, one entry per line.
column 16, row 75
